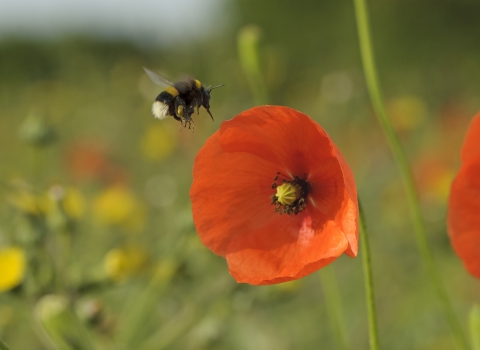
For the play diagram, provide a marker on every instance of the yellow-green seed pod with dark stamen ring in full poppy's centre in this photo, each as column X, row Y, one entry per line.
column 291, row 195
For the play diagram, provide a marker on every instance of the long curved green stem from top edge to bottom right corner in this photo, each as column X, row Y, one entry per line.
column 399, row 155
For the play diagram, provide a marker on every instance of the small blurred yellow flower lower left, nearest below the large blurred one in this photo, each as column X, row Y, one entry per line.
column 120, row 263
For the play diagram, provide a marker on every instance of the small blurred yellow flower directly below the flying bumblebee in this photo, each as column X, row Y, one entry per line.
column 157, row 143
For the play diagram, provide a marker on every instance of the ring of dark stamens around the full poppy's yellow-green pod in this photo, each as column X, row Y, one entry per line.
column 300, row 203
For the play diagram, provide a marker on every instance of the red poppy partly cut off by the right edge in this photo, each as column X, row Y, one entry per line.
column 464, row 202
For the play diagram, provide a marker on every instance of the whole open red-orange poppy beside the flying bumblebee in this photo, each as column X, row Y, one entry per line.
column 232, row 194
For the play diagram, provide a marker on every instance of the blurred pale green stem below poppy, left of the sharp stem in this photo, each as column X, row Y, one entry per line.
column 333, row 304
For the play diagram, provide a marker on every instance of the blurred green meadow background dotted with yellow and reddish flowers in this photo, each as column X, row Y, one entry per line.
column 95, row 190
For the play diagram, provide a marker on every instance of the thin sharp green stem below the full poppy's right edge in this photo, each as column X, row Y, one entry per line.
column 369, row 292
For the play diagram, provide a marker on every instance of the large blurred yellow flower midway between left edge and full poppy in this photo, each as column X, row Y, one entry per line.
column 117, row 205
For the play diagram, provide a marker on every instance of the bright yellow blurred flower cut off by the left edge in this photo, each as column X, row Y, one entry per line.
column 12, row 267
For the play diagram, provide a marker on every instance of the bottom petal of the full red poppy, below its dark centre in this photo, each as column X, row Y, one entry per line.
column 287, row 249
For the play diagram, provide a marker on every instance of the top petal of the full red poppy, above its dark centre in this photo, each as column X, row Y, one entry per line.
column 278, row 134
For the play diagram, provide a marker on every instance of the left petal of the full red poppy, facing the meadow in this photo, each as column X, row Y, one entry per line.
column 230, row 194
